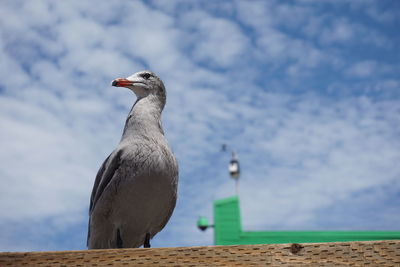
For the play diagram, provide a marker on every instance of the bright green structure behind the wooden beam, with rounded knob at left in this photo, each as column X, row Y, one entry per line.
column 228, row 230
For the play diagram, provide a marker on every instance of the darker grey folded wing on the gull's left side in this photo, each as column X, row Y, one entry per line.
column 103, row 178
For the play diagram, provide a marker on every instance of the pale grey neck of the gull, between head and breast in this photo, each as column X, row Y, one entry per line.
column 144, row 118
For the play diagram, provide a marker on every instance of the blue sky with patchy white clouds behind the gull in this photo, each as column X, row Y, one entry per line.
column 307, row 93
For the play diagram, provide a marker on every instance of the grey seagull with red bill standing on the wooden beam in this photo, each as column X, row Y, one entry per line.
column 135, row 189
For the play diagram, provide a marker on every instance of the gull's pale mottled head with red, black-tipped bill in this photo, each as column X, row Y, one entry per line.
column 143, row 84
